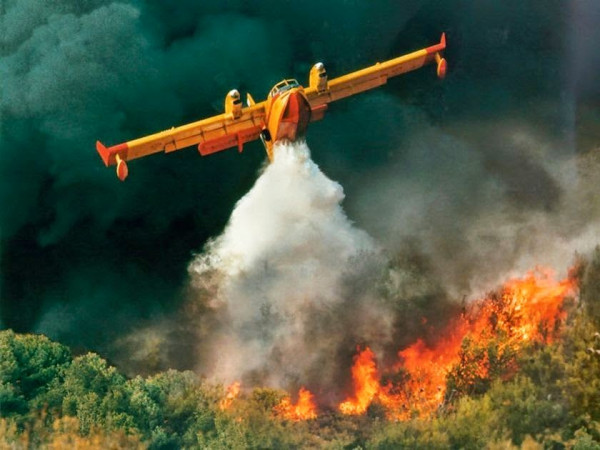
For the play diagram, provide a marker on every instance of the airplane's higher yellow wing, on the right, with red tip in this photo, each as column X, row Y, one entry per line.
column 373, row 76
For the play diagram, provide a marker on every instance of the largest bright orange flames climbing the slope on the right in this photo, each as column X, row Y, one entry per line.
column 527, row 309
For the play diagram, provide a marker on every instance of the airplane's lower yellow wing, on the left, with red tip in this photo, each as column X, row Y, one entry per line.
column 210, row 135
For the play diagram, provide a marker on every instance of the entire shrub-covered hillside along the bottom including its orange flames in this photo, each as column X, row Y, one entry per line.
column 518, row 367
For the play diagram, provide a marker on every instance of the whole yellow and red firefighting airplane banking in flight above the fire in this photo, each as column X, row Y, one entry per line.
column 284, row 115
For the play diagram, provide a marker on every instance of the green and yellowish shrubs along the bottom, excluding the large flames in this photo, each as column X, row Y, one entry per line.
column 50, row 399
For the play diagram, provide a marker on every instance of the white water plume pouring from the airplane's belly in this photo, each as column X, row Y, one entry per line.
column 287, row 280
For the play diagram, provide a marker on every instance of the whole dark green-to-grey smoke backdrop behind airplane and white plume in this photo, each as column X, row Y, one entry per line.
column 460, row 182
